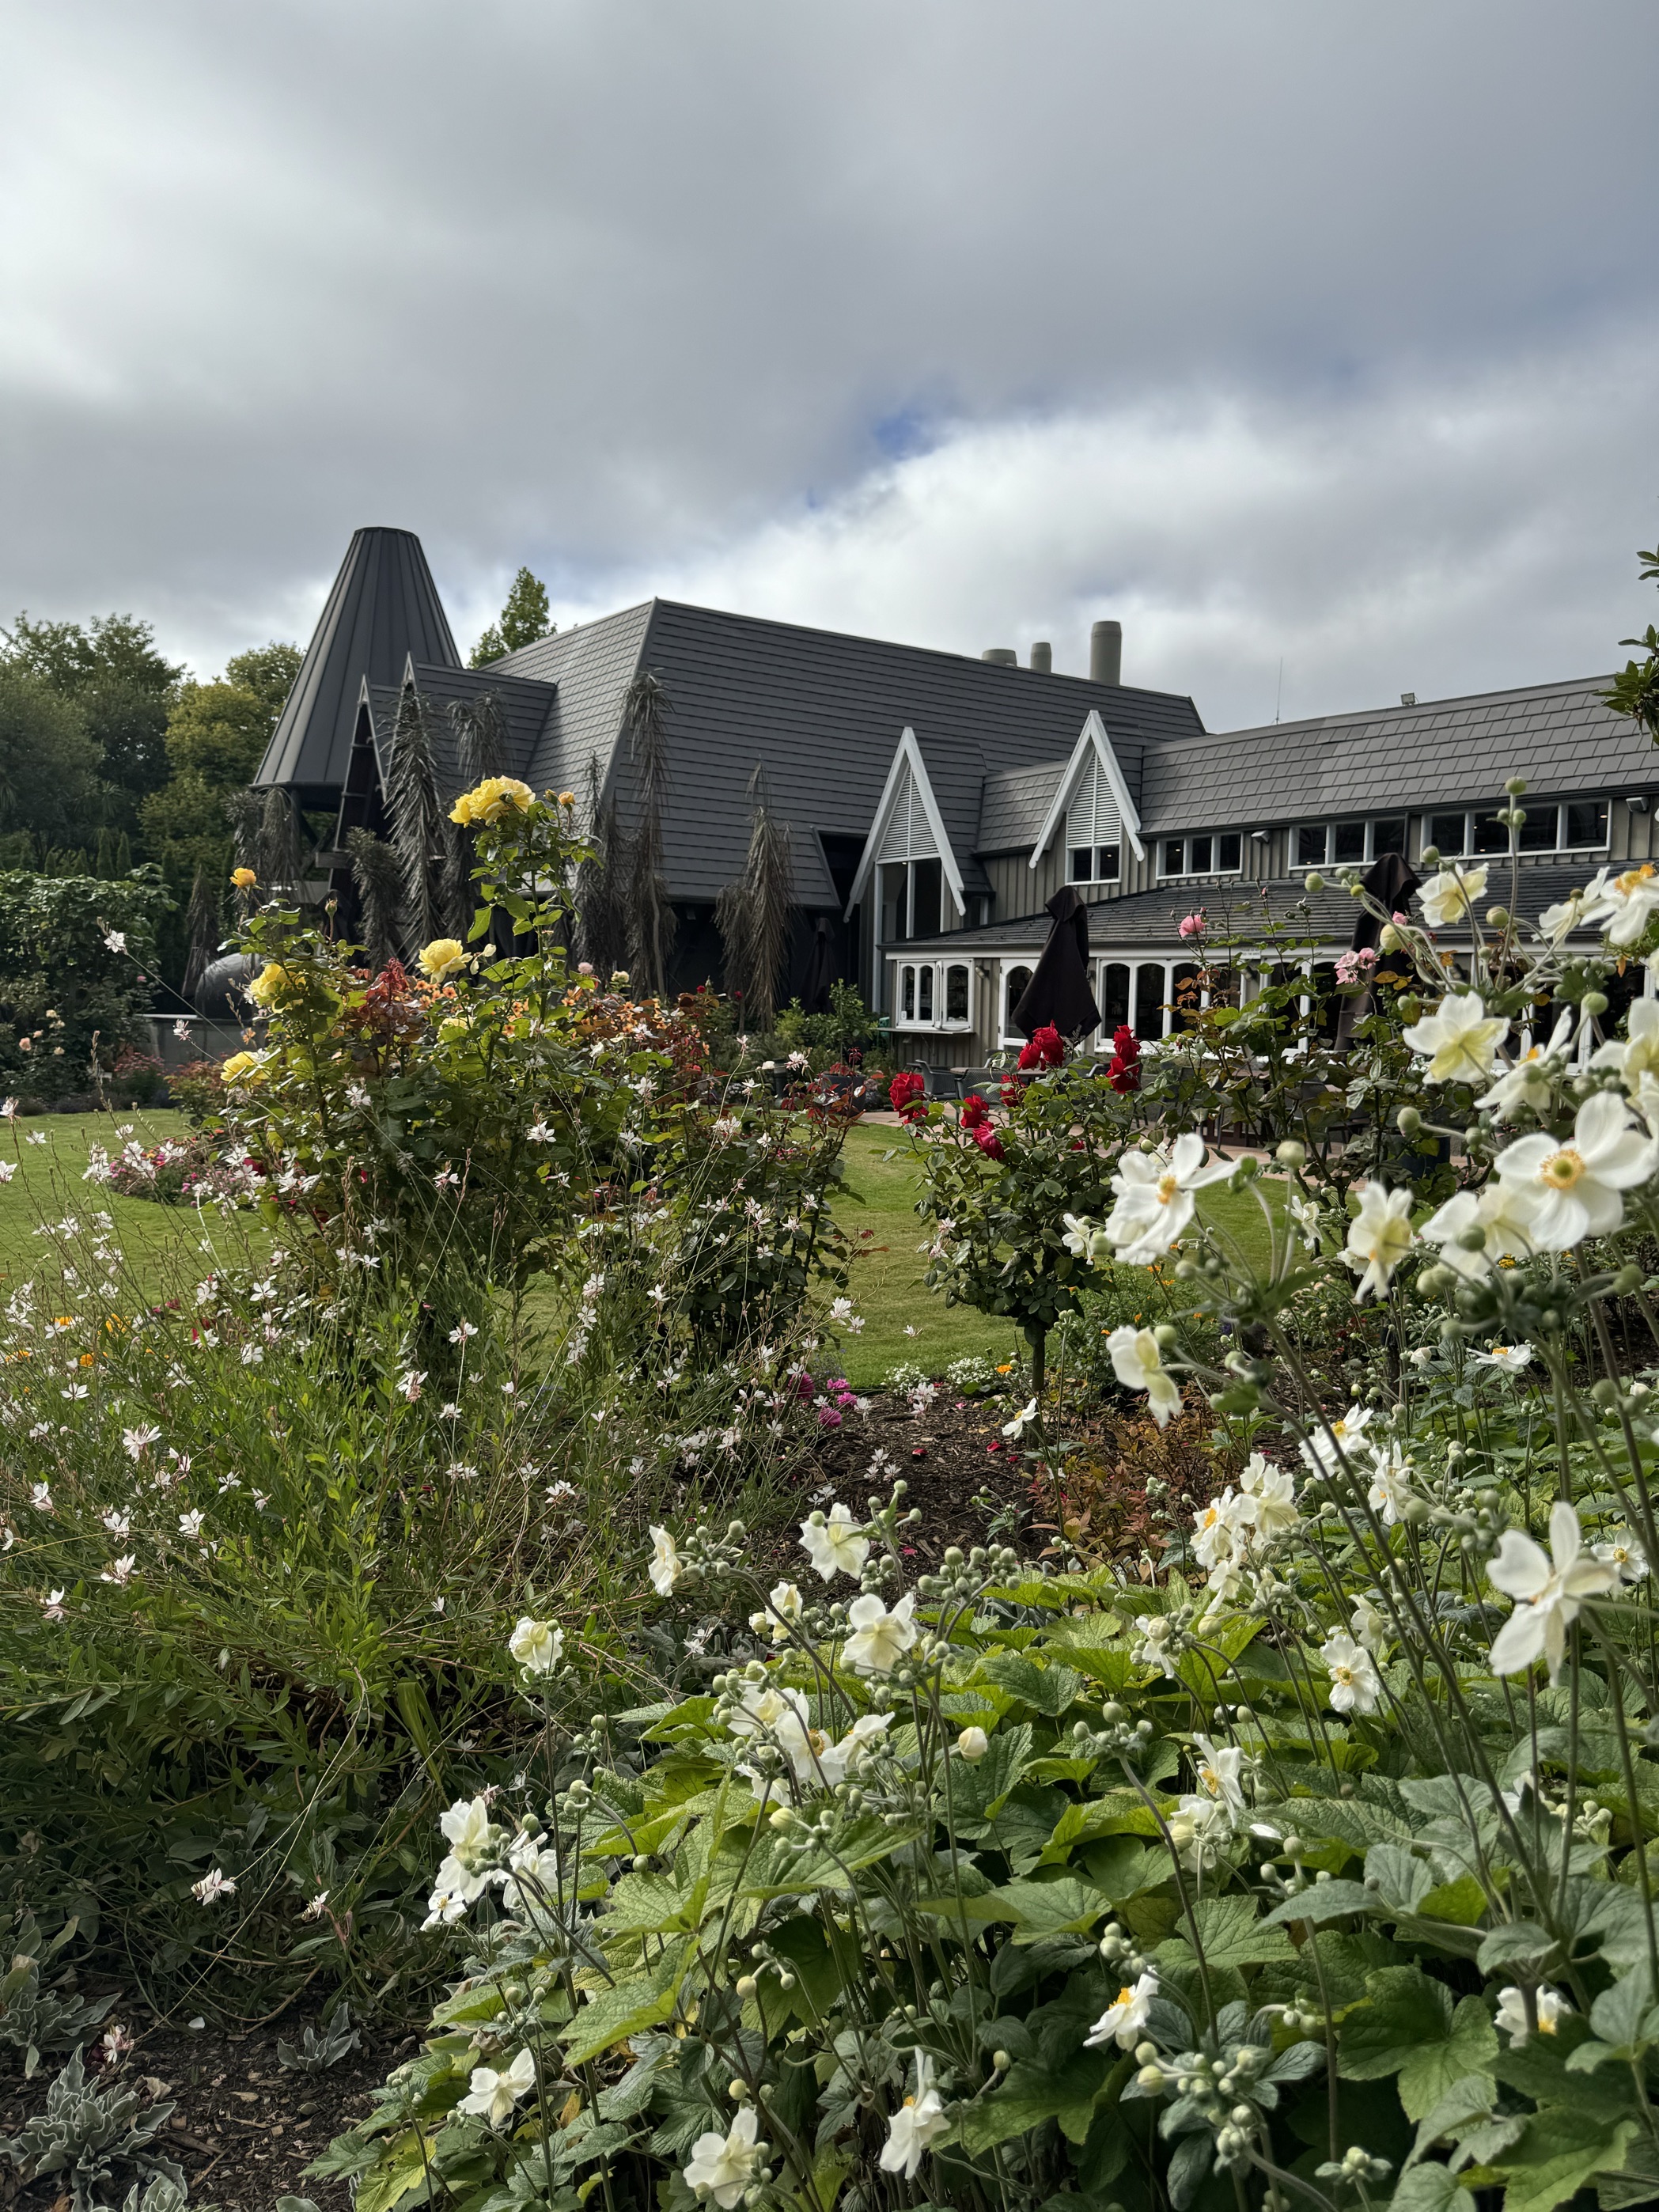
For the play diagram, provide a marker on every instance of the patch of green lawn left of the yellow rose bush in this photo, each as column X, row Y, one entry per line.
column 163, row 1244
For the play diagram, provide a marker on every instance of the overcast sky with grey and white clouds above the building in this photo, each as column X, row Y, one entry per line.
column 1313, row 333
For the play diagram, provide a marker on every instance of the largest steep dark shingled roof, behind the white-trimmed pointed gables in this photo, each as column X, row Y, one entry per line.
column 822, row 713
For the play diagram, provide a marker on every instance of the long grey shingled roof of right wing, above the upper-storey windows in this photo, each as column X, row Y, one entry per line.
column 1404, row 758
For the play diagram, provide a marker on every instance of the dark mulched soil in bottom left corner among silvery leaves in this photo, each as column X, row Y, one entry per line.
column 244, row 2125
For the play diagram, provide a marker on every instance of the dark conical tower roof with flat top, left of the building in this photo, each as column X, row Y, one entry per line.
column 382, row 612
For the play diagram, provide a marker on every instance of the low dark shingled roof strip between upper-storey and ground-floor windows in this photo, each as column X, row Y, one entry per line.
column 1149, row 921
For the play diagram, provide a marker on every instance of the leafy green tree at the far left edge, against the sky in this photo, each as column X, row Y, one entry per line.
column 121, row 685
